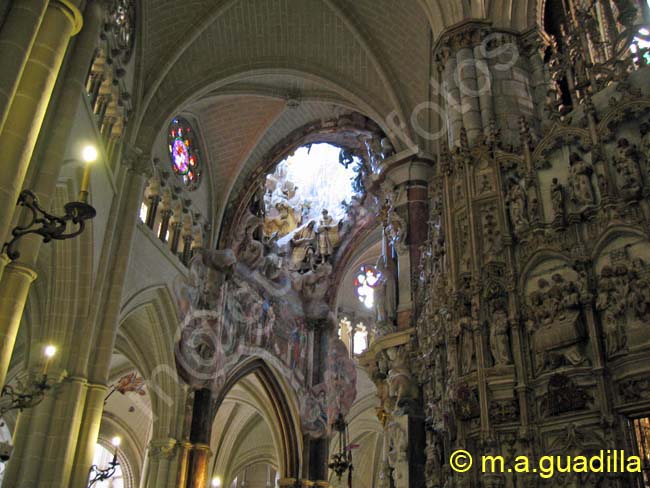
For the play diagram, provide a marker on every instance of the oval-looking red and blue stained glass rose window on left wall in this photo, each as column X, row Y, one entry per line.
column 183, row 152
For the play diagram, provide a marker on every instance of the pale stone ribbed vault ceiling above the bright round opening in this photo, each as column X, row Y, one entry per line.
column 237, row 62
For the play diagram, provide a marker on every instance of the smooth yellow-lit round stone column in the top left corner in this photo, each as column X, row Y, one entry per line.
column 61, row 21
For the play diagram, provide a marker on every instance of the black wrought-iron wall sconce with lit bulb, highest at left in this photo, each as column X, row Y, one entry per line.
column 54, row 227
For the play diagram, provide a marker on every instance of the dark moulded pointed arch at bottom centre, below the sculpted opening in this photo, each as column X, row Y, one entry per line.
column 290, row 455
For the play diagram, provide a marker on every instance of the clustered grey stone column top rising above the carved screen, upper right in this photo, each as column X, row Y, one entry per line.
column 487, row 82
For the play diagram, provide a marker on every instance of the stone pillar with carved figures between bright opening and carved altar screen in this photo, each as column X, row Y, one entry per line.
column 406, row 207
